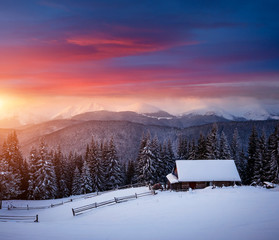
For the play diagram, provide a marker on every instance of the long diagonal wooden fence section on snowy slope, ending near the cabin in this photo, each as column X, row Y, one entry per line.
column 80, row 210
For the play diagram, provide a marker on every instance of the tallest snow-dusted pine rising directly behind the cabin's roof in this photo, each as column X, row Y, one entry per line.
column 212, row 143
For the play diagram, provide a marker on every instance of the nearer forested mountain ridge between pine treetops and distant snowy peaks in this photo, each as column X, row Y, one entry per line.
column 127, row 128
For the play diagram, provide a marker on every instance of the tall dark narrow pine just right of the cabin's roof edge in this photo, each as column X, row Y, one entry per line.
column 254, row 167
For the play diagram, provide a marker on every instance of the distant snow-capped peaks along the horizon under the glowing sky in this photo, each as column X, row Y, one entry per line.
column 141, row 113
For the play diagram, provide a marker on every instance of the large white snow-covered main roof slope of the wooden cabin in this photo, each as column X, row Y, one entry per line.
column 206, row 170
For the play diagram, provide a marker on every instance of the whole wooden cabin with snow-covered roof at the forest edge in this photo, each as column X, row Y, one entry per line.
column 196, row 174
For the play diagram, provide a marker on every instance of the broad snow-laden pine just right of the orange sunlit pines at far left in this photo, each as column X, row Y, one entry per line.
column 45, row 179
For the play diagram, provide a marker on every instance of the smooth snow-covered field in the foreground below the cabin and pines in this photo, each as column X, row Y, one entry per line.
column 240, row 213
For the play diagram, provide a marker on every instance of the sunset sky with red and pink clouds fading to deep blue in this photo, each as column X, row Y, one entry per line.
column 175, row 55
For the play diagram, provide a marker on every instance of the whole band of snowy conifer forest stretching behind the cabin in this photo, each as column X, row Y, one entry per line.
column 49, row 173
